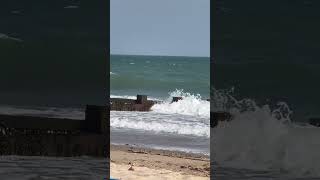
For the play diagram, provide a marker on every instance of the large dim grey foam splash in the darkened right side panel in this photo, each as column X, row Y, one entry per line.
column 261, row 137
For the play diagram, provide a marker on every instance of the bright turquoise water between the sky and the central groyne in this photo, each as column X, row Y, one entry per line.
column 156, row 76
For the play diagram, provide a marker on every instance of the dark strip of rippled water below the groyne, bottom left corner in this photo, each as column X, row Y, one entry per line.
column 44, row 167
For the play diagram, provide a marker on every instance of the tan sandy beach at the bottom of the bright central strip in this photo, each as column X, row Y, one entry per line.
column 157, row 164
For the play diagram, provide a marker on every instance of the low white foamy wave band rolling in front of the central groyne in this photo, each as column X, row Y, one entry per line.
column 159, row 123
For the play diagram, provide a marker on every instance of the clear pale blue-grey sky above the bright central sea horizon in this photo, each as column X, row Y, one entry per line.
column 160, row 27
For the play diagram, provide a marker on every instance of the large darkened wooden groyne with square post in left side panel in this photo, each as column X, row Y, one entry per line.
column 40, row 136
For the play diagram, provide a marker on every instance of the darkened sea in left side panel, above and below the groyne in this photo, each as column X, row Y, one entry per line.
column 53, row 61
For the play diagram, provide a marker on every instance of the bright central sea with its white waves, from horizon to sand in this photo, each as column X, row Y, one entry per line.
column 182, row 125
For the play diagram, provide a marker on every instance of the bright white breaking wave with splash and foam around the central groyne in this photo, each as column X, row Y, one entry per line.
column 189, row 116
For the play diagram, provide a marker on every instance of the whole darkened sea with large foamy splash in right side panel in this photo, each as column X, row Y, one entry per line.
column 265, row 70
